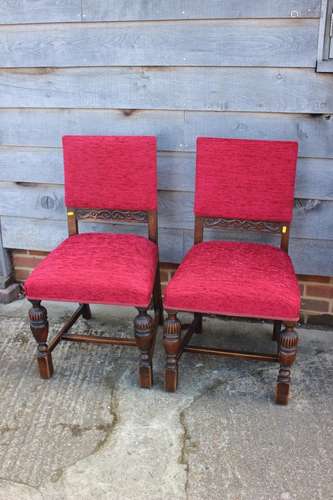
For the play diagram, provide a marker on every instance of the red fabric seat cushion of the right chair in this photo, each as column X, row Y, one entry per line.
column 235, row 279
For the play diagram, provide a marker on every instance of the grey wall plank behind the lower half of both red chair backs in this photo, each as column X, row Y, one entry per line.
column 312, row 218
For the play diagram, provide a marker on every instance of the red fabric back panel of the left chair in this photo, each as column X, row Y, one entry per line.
column 110, row 172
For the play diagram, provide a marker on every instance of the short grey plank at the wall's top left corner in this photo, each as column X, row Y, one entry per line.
column 39, row 11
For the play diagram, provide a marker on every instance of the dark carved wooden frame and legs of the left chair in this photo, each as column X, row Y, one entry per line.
column 145, row 327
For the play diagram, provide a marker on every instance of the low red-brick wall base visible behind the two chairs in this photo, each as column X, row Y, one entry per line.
column 317, row 291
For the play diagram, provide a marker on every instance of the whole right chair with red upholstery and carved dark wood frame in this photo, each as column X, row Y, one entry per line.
column 240, row 184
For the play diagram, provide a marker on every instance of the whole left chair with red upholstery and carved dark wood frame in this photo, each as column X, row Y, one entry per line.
column 108, row 179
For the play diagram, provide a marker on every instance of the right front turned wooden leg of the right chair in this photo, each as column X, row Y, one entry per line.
column 288, row 341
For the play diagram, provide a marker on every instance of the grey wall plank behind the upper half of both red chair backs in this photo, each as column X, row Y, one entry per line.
column 175, row 170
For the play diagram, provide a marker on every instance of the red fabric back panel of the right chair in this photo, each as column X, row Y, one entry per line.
column 245, row 179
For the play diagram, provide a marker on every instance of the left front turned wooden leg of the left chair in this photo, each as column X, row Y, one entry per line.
column 40, row 329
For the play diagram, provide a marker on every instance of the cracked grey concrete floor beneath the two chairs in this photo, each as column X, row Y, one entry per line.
column 91, row 433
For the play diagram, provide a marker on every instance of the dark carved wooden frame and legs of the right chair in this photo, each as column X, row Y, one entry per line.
column 287, row 339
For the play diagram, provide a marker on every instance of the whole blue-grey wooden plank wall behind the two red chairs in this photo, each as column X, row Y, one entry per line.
column 177, row 70
